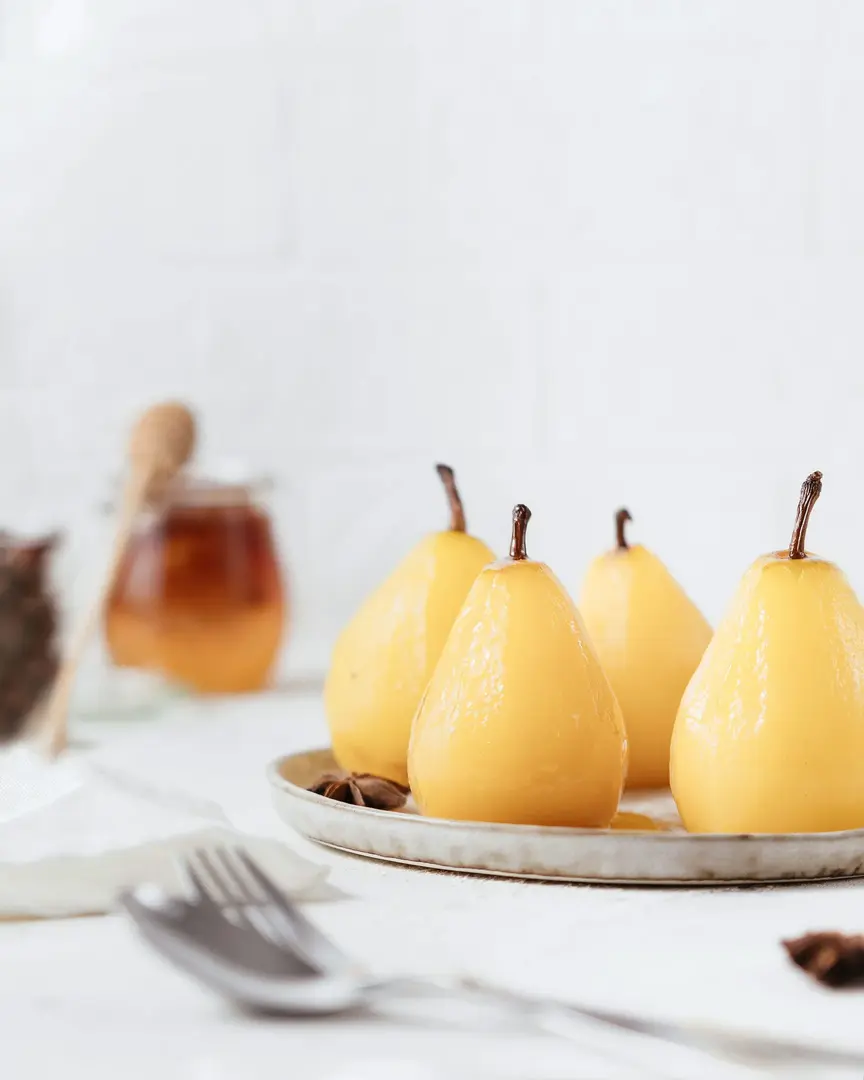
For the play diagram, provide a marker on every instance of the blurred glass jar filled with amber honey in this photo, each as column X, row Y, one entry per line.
column 199, row 598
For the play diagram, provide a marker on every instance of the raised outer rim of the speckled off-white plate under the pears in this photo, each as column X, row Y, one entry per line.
column 347, row 828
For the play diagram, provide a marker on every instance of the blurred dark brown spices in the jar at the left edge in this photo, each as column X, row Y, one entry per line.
column 30, row 649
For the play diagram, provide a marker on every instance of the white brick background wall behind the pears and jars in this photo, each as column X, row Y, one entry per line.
column 589, row 253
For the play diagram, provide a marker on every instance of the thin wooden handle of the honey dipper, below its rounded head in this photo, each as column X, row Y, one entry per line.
column 56, row 720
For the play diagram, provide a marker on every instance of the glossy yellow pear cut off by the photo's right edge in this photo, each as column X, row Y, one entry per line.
column 769, row 737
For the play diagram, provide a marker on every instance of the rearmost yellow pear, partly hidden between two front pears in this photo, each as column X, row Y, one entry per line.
column 651, row 638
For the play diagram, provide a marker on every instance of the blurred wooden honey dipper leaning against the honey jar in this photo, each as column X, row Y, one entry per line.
column 161, row 443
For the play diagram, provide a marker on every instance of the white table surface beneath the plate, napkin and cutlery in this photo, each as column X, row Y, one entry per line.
column 85, row 996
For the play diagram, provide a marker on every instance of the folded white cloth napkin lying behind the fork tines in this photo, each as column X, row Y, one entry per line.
column 75, row 833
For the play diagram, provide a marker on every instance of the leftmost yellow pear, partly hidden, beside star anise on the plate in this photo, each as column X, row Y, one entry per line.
column 383, row 660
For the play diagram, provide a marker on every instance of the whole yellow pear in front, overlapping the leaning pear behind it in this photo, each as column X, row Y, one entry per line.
column 519, row 723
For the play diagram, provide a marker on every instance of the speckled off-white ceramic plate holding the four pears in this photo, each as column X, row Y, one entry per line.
column 669, row 858
